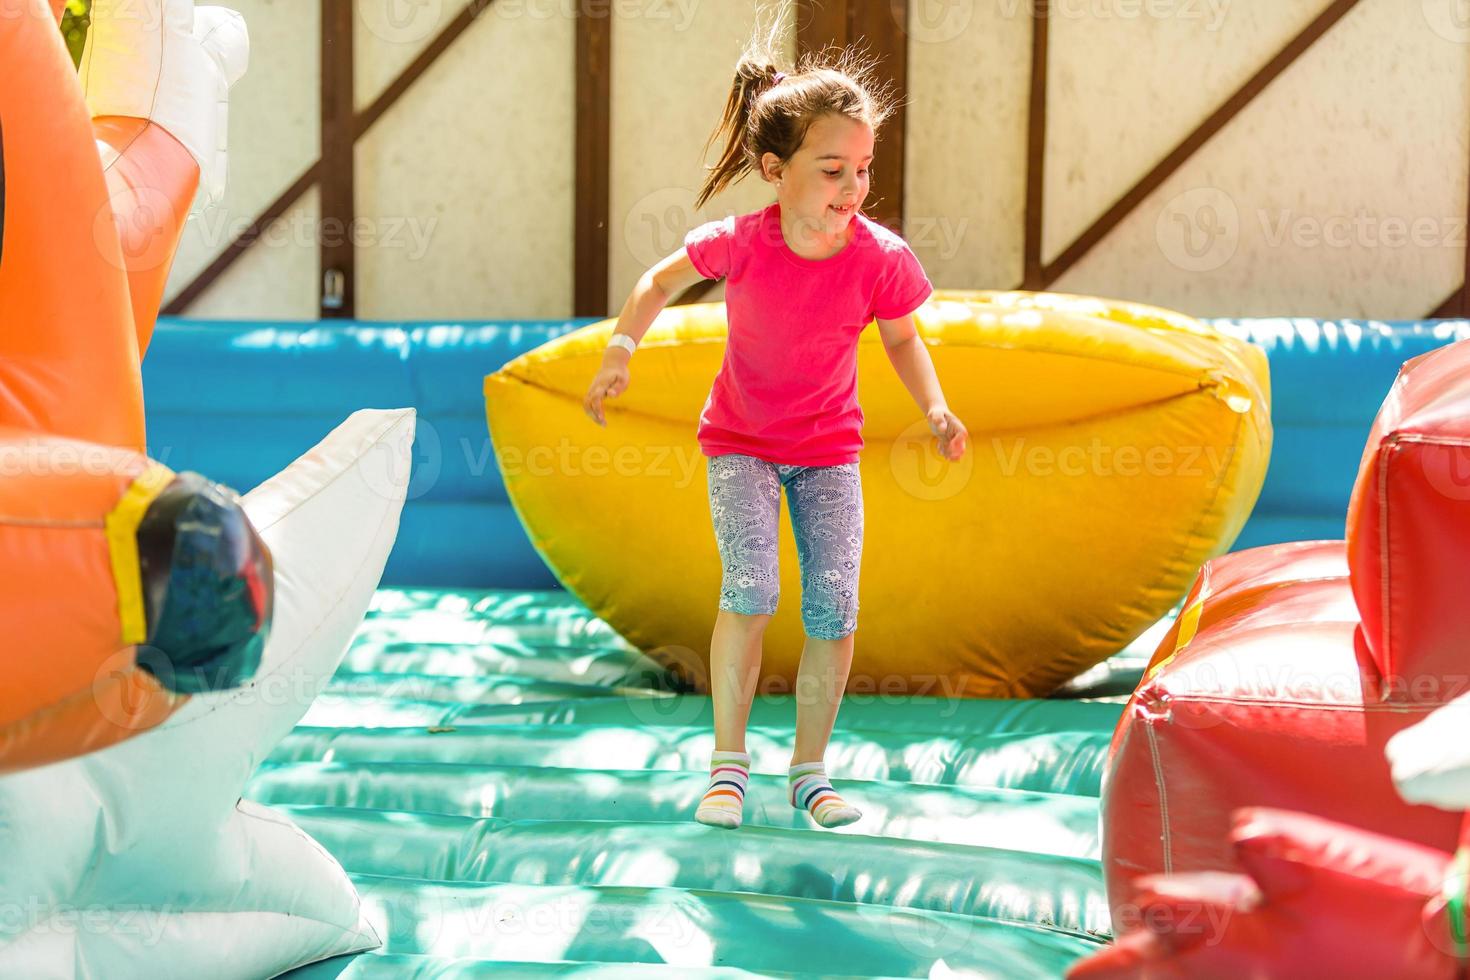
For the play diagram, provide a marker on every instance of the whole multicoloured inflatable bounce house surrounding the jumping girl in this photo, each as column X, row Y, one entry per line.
column 1125, row 705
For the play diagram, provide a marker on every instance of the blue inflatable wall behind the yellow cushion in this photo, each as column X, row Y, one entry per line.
column 239, row 402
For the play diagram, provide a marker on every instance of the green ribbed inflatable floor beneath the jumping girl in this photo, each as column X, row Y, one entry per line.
column 512, row 788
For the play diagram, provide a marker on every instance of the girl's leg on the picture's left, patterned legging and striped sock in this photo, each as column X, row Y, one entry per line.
column 745, row 508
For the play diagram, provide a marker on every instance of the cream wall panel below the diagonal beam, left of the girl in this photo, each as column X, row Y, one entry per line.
column 465, row 187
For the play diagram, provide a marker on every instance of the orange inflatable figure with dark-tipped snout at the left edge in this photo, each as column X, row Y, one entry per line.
column 101, row 641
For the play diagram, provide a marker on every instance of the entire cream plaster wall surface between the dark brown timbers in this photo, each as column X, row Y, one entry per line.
column 467, row 187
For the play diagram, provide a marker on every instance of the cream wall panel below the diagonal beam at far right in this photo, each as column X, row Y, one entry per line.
column 1296, row 208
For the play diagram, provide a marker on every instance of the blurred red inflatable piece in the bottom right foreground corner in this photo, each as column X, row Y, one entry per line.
column 1319, row 900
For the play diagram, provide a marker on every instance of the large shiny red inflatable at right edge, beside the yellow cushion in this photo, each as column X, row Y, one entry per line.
column 1291, row 666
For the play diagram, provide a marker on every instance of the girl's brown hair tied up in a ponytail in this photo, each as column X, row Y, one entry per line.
column 765, row 117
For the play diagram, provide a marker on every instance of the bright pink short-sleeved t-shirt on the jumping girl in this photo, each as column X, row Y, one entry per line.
column 787, row 392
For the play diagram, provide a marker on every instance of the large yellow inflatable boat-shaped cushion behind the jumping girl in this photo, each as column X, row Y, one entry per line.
column 1114, row 449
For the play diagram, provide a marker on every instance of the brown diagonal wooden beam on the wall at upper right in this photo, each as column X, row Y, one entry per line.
column 1203, row 134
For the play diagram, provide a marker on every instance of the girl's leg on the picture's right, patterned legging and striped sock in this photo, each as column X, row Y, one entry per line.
column 827, row 516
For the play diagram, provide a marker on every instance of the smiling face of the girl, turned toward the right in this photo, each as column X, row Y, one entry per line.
column 825, row 183
